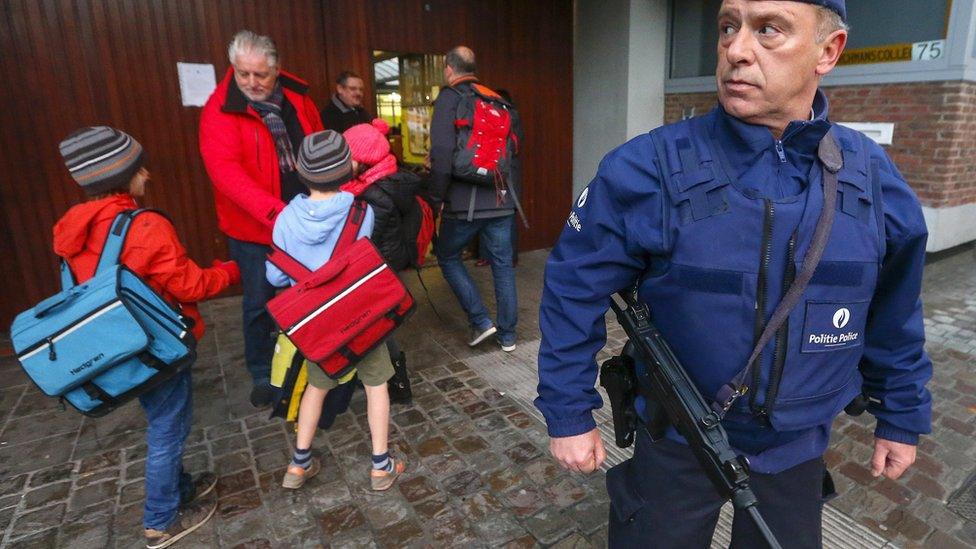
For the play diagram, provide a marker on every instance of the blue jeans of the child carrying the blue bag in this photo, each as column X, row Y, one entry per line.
column 169, row 411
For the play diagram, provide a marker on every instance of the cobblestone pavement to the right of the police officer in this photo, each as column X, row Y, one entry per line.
column 913, row 510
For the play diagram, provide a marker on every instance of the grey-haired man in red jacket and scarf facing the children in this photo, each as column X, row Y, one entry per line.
column 250, row 130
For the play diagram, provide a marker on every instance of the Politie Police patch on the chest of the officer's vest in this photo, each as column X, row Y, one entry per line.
column 832, row 326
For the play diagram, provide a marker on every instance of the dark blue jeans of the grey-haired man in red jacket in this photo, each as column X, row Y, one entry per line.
column 259, row 329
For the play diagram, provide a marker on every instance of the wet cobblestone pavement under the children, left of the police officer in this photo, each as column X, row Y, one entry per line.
column 478, row 466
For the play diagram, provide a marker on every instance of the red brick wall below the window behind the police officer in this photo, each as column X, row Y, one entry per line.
column 935, row 131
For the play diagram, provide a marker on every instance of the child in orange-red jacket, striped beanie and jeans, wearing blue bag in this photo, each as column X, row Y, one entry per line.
column 108, row 165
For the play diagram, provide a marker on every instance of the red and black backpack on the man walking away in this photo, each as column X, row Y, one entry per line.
column 486, row 141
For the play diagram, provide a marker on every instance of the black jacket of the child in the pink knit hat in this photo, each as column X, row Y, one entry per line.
column 397, row 217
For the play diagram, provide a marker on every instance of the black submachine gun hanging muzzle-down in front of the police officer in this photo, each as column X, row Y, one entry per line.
column 671, row 390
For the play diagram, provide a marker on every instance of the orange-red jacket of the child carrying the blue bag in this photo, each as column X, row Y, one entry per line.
column 152, row 250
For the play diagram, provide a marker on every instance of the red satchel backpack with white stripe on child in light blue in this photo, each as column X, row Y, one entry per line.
column 343, row 310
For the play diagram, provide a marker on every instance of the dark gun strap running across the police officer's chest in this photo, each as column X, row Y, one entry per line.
column 832, row 160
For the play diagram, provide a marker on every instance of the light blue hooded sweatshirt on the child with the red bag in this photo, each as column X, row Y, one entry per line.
column 309, row 229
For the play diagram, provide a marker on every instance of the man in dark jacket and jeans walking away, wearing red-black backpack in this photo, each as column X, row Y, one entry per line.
column 470, row 210
